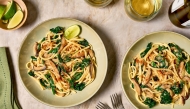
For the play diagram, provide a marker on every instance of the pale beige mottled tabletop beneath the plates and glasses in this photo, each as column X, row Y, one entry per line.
column 115, row 28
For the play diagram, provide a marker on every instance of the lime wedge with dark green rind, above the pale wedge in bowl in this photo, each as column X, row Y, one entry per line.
column 10, row 10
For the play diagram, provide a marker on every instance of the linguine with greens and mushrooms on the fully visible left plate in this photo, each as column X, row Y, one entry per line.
column 62, row 65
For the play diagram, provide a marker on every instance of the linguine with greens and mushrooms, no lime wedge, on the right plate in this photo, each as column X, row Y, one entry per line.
column 160, row 74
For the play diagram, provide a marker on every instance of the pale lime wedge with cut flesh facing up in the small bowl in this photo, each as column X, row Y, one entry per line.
column 16, row 19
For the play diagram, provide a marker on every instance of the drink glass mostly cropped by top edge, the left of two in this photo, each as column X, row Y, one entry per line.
column 98, row 3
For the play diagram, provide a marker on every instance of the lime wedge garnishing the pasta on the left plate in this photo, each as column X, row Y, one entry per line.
column 72, row 31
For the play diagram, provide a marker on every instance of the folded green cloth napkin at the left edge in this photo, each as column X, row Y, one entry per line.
column 7, row 97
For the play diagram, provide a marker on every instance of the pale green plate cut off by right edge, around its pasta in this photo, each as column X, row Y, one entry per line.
column 164, row 37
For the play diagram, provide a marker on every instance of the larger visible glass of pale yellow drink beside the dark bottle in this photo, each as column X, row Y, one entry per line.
column 142, row 10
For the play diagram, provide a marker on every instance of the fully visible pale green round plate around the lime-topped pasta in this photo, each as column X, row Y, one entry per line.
column 46, row 96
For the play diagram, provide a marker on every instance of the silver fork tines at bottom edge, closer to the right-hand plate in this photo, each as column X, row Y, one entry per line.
column 116, row 101
